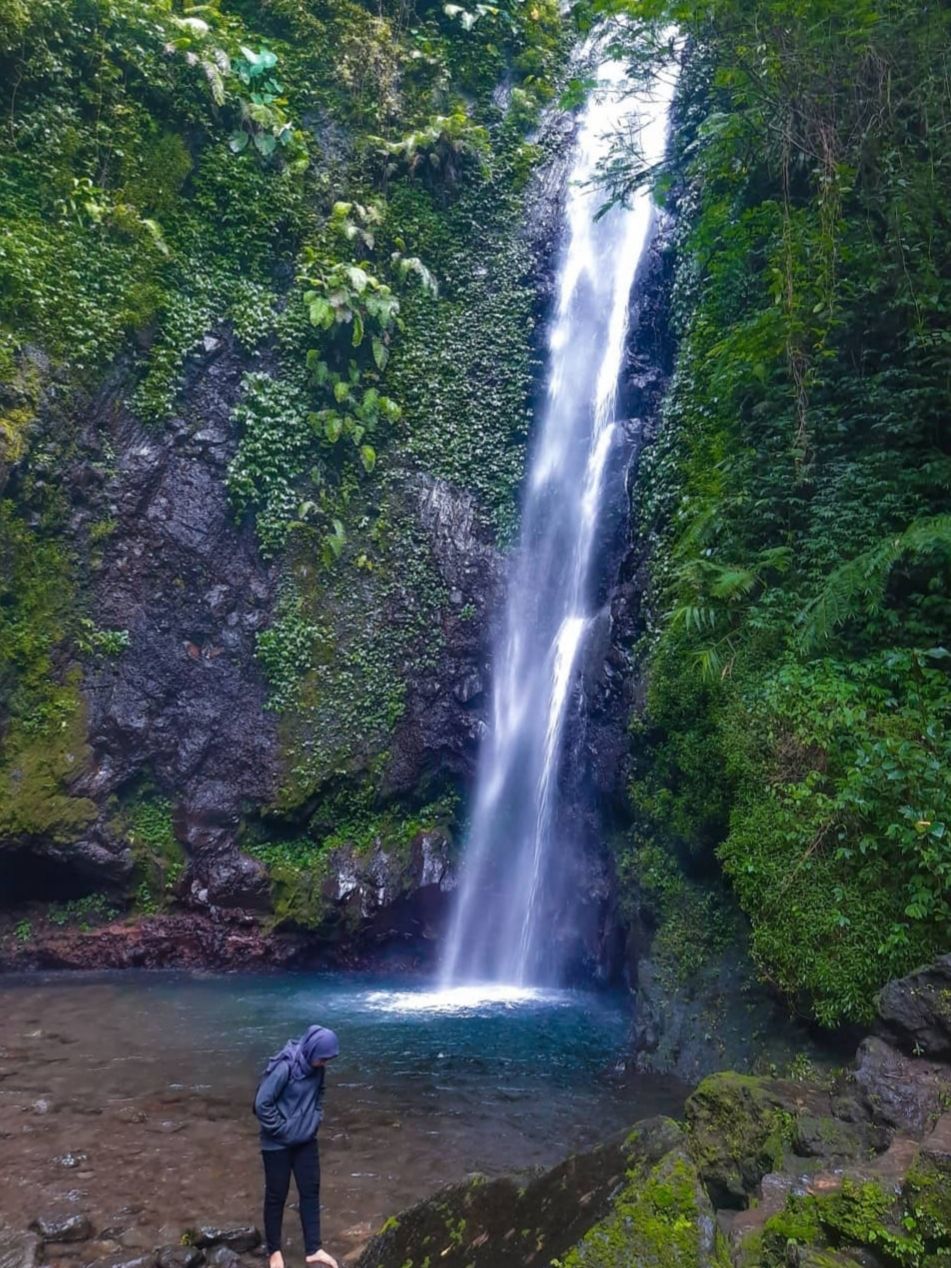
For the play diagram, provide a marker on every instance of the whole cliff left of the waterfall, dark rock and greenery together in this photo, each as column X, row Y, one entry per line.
column 269, row 297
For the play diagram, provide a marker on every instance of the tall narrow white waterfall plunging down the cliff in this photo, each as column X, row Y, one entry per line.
column 515, row 860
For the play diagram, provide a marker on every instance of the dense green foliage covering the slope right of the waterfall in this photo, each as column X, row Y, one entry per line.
column 798, row 720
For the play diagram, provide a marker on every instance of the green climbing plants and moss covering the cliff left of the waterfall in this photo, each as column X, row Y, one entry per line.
column 327, row 182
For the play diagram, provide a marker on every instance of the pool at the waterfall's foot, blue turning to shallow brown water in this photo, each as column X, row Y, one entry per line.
column 153, row 1075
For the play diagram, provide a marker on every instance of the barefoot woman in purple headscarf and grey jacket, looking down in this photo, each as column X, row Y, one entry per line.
column 288, row 1108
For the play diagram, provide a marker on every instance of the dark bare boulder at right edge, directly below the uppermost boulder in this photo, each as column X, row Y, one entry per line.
column 901, row 1091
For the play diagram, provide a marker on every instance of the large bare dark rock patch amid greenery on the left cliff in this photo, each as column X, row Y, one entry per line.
column 186, row 702
